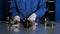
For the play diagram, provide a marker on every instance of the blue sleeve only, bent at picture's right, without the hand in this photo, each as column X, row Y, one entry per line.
column 42, row 8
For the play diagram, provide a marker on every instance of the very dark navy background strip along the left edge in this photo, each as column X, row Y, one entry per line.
column 3, row 9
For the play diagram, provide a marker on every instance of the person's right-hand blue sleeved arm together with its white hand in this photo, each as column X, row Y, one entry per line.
column 40, row 12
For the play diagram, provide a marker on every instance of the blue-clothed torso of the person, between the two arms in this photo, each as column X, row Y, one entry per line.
column 27, row 7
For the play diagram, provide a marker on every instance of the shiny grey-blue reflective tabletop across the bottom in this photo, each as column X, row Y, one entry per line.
column 39, row 29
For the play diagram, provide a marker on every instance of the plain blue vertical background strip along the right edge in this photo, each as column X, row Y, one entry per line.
column 57, row 9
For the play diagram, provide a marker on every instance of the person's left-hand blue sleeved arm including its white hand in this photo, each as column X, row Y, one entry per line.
column 13, row 10
